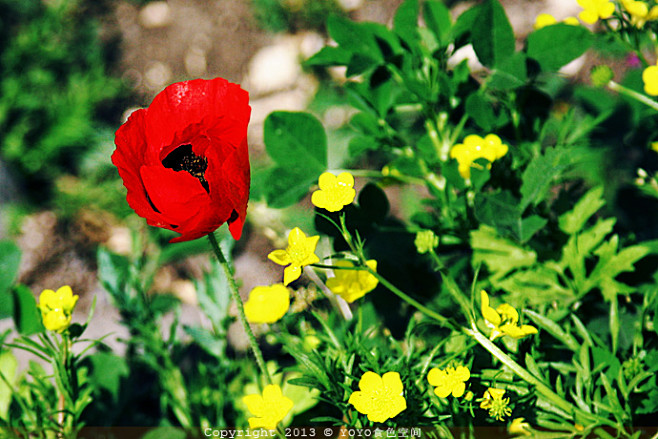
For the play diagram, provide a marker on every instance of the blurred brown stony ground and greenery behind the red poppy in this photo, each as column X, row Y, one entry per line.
column 72, row 70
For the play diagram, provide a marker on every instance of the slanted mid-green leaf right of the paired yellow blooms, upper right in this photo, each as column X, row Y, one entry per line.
column 539, row 175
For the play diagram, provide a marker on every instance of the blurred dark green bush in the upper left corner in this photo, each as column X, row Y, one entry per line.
column 56, row 93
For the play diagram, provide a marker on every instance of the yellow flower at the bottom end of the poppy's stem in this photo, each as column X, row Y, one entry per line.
column 269, row 409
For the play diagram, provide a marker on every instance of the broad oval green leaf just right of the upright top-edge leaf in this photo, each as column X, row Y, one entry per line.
column 555, row 46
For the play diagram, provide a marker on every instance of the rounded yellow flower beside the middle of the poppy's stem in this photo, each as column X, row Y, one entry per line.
column 267, row 304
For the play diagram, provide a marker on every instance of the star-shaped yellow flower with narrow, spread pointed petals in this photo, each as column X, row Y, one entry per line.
column 300, row 252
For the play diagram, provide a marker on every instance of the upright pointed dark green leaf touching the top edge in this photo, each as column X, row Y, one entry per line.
column 492, row 35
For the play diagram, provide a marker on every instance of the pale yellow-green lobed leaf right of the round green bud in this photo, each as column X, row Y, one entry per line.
column 500, row 255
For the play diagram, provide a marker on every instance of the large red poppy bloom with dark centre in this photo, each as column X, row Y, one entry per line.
column 184, row 159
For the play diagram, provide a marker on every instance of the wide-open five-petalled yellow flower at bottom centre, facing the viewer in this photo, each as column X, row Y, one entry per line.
column 379, row 397
